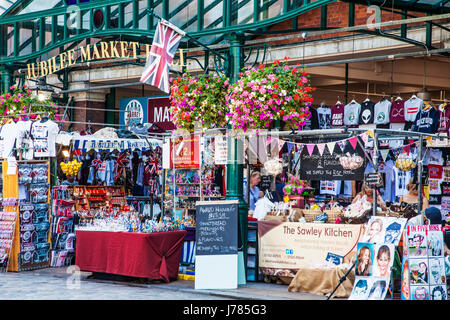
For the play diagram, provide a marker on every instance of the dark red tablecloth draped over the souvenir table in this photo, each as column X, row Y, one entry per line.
column 144, row 255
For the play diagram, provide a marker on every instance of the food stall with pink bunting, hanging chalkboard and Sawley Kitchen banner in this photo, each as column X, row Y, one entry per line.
column 358, row 158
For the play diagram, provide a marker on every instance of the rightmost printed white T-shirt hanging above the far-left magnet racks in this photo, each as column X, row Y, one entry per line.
column 44, row 135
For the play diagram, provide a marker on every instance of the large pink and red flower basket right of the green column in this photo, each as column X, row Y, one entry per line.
column 267, row 93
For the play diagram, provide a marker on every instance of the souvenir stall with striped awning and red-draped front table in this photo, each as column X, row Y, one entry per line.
column 112, row 186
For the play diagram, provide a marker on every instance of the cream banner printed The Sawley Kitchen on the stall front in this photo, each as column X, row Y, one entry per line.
column 293, row 245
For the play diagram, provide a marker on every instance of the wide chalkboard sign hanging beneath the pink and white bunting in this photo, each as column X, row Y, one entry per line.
column 327, row 166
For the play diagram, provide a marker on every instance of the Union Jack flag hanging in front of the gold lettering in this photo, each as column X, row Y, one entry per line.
column 165, row 43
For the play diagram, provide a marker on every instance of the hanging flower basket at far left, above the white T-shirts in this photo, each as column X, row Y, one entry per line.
column 21, row 101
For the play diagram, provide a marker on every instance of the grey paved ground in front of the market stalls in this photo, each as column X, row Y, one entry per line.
column 60, row 283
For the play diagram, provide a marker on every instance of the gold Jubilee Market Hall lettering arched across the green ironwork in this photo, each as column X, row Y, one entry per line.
column 101, row 50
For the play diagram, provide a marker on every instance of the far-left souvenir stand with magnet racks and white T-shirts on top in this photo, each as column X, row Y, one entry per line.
column 28, row 151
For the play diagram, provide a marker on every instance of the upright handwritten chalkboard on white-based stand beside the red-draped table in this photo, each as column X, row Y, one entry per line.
column 216, row 227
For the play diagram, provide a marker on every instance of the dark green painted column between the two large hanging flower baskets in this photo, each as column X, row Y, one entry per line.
column 235, row 163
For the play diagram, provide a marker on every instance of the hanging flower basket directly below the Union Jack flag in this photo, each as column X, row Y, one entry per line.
column 199, row 101
